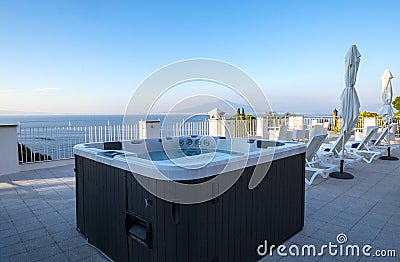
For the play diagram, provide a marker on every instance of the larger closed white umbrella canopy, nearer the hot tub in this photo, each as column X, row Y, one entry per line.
column 349, row 101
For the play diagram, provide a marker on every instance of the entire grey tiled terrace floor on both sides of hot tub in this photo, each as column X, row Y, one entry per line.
column 37, row 214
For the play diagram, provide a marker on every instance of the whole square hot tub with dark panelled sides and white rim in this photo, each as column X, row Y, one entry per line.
column 128, row 204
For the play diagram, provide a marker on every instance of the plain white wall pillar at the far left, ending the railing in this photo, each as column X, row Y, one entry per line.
column 8, row 149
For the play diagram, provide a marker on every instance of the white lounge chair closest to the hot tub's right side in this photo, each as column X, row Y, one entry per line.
column 313, row 162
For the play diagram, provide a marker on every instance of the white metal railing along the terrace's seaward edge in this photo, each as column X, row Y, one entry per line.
column 37, row 144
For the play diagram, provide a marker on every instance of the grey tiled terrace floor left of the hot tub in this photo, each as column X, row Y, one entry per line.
column 37, row 218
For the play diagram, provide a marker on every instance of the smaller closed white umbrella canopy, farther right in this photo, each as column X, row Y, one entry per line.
column 386, row 111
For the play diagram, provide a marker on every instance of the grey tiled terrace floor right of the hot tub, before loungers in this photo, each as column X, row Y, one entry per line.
column 366, row 209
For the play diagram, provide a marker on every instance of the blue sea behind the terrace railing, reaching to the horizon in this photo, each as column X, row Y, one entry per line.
column 55, row 135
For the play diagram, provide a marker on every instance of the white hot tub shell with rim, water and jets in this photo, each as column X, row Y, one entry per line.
column 185, row 157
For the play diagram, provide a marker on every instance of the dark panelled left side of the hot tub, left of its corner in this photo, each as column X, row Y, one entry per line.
column 103, row 189
